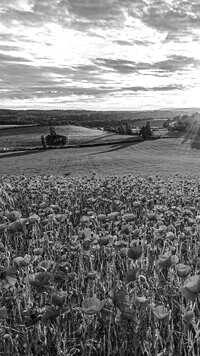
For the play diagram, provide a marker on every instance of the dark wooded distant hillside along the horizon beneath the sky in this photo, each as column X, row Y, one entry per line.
column 87, row 118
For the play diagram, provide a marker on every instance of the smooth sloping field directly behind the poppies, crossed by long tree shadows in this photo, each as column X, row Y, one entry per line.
column 165, row 157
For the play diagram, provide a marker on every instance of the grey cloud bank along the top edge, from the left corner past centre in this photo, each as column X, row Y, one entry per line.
column 75, row 14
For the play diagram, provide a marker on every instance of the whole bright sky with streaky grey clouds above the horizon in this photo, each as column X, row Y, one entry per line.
column 99, row 54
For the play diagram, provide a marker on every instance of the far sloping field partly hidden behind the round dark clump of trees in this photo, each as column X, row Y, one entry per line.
column 28, row 137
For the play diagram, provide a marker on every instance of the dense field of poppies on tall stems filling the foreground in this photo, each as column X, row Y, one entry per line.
column 99, row 265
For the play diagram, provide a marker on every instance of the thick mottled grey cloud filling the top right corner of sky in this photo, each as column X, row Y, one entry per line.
column 177, row 18
